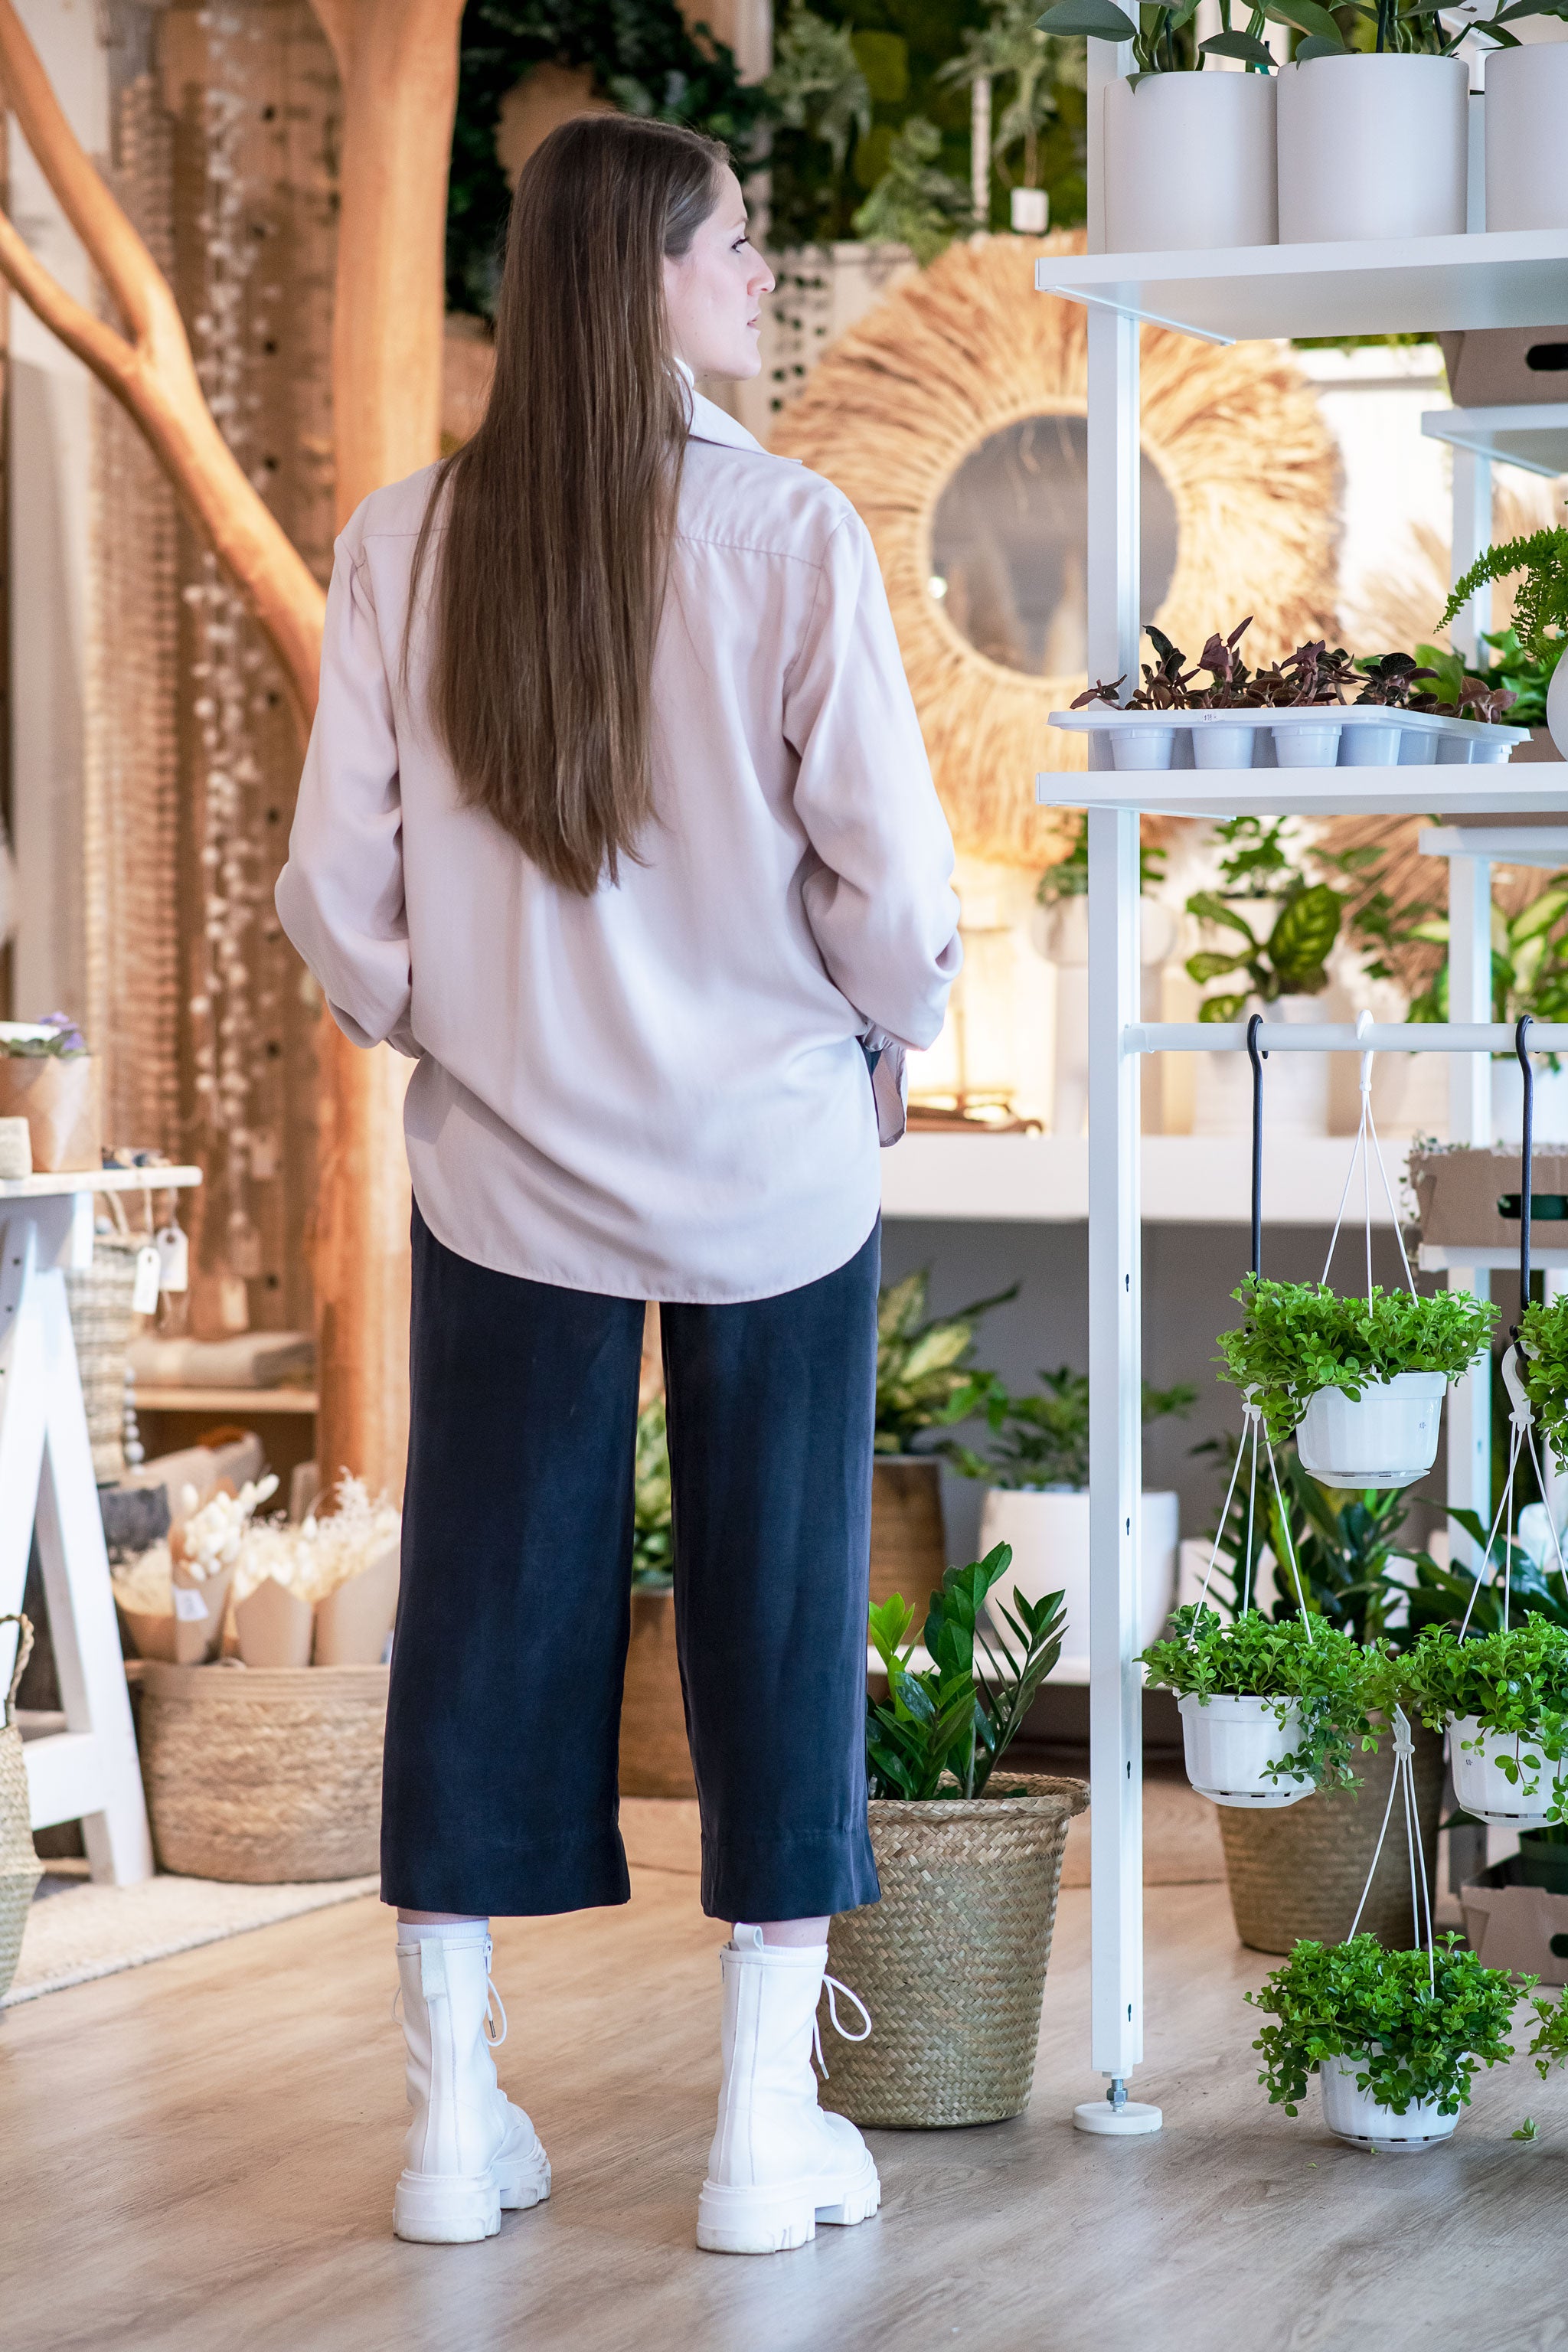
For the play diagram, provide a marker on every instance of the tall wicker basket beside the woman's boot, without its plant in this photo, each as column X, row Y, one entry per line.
column 953, row 1960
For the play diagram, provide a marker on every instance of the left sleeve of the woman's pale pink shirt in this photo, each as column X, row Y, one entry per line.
column 340, row 897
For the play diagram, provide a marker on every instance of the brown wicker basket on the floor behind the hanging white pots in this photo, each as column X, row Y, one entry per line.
column 1301, row 1871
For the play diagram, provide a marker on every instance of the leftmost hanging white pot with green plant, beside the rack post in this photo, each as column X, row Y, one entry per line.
column 1271, row 1711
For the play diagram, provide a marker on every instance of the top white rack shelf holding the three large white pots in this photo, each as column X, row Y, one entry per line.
column 1376, row 286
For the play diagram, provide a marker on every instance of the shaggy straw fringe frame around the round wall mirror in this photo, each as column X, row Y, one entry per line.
column 967, row 349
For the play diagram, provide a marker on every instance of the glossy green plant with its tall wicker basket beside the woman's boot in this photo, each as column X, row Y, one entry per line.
column 953, row 1958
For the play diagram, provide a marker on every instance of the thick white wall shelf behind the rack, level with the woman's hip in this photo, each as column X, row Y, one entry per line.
column 1186, row 1180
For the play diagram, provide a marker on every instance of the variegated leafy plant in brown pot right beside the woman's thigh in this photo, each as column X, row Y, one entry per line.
column 925, row 1384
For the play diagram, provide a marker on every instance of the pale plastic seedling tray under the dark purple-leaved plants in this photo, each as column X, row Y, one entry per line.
column 1367, row 737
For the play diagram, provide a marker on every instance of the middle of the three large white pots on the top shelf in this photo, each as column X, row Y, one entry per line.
column 1372, row 147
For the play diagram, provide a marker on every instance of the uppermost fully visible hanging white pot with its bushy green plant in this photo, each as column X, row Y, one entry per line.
column 1360, row 1382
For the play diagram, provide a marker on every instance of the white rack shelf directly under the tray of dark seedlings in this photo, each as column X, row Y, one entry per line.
column 1515, row 789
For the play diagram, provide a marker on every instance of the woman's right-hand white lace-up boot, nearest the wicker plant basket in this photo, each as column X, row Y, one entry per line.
column 779, row 2163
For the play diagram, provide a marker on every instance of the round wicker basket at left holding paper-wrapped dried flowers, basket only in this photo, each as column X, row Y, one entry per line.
column 264, row 1775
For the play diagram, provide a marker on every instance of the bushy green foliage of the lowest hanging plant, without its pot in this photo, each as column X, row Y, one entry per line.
column 1416, row 2031
